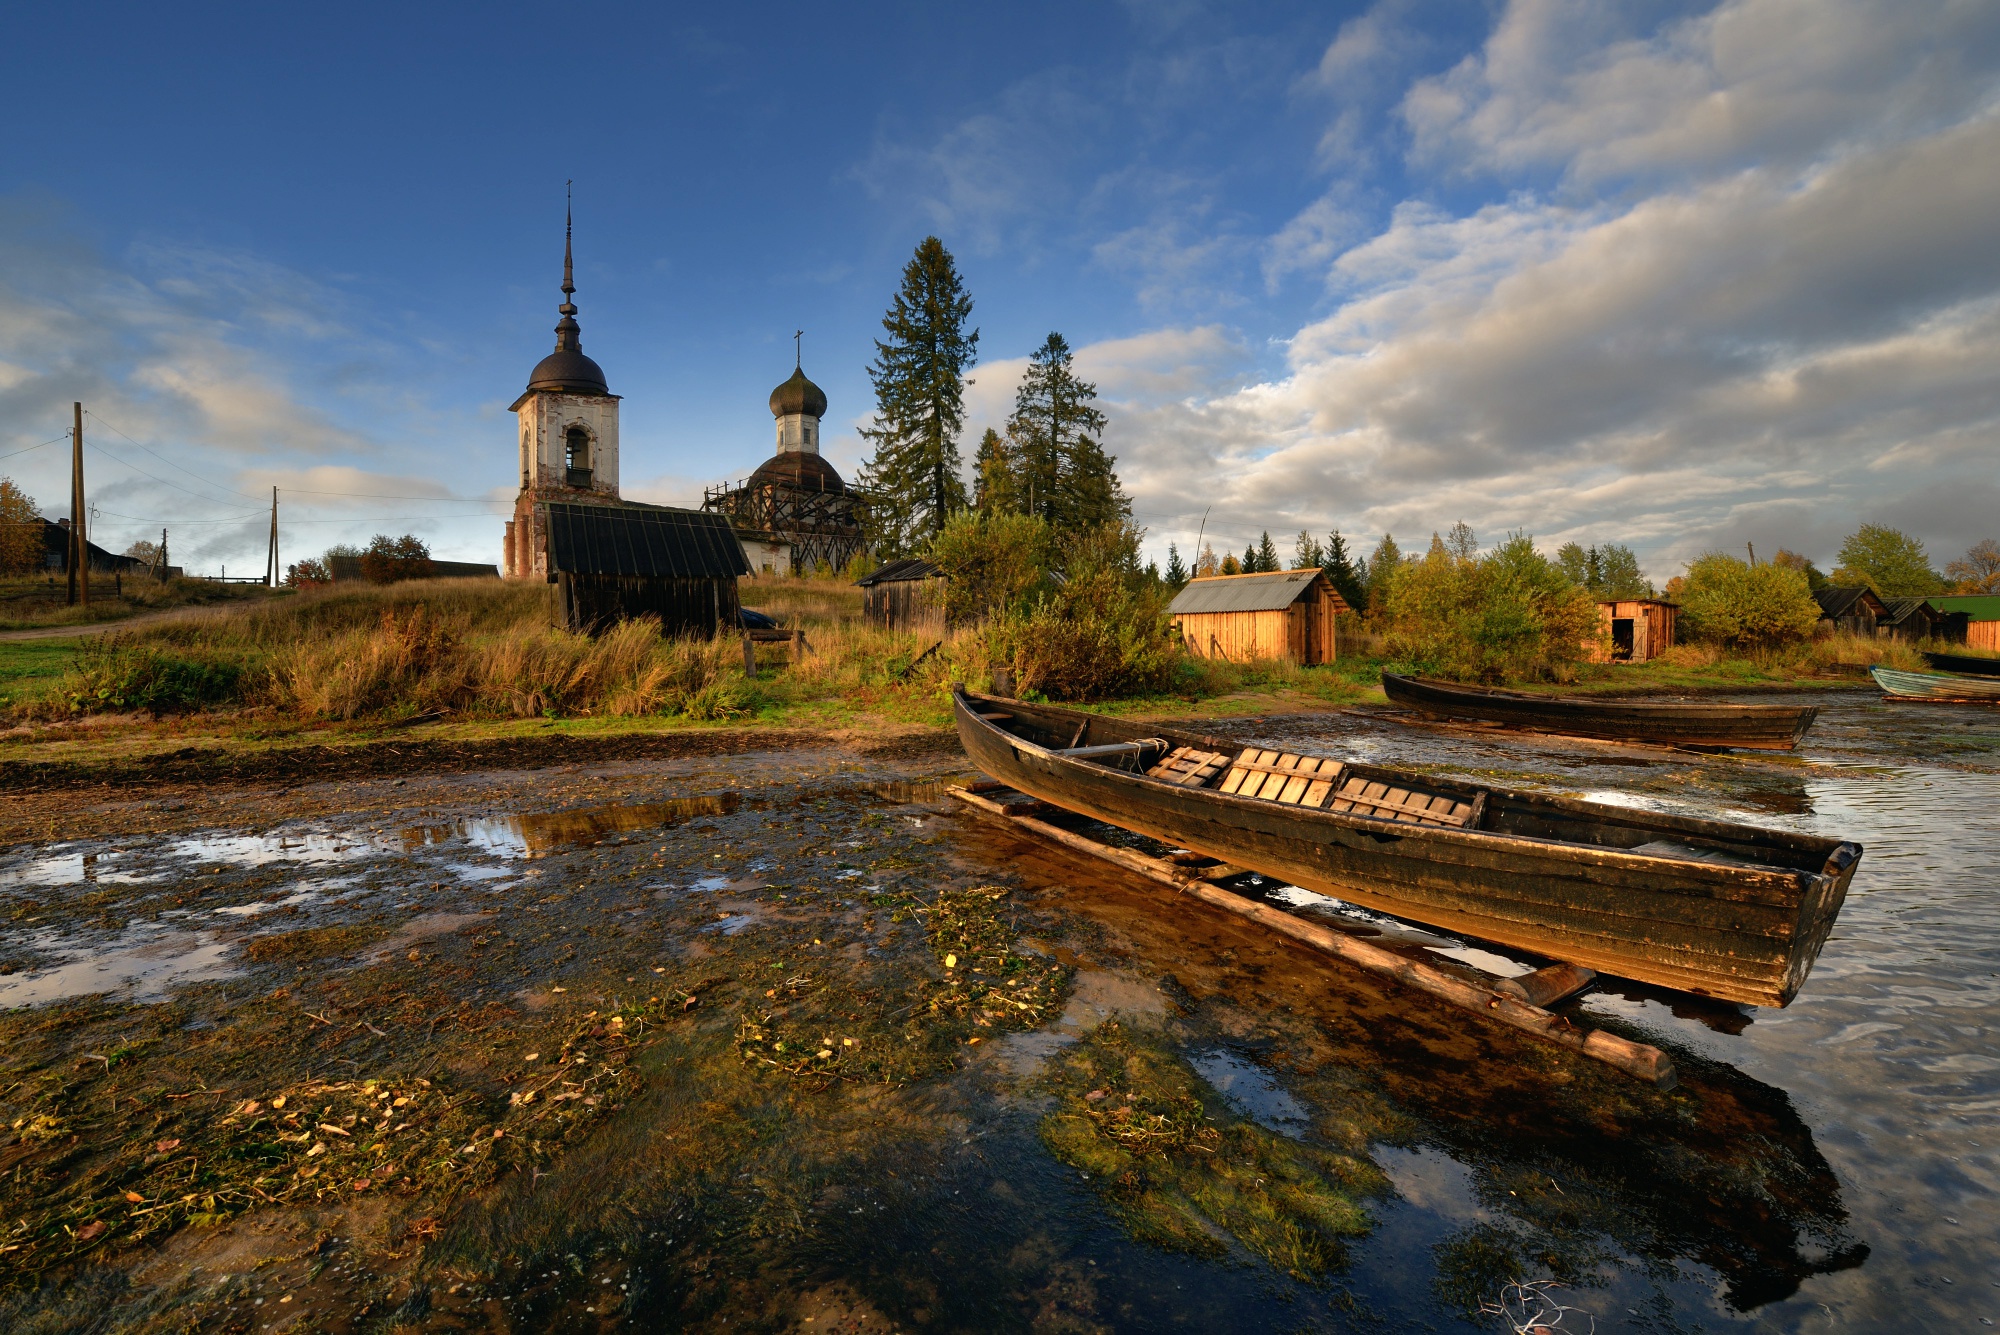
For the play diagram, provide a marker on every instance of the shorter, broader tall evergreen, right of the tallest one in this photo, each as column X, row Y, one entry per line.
column 1061, row 473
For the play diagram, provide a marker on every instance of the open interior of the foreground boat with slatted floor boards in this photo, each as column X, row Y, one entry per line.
column 1367, row 792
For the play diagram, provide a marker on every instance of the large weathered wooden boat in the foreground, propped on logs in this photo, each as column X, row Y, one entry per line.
column 1701, row 906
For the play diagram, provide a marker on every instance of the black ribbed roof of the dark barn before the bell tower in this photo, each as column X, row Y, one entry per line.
column 641, row 541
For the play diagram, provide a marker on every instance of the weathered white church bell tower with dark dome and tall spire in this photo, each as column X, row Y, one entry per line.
column 569, row 435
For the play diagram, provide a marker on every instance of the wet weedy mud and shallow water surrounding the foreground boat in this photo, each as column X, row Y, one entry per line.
column 779, row 1038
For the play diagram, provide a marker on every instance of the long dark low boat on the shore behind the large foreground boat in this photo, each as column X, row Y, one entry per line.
column 1769, row 728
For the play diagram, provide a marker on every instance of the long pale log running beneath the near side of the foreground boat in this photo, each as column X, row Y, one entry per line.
column 1637, row 1060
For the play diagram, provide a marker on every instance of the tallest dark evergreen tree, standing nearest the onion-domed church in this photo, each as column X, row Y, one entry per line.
column 921, row 381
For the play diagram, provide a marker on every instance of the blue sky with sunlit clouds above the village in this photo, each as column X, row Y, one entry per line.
column 1679, row 277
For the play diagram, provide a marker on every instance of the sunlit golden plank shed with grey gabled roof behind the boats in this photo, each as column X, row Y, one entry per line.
column 1283, row 615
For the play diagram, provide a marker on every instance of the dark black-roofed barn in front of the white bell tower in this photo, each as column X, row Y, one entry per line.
column 619, row 563
